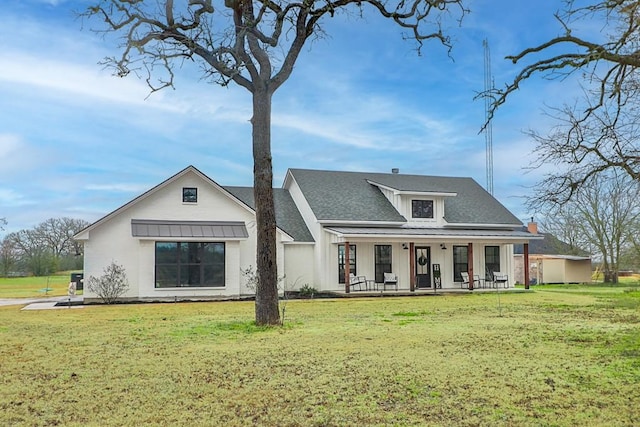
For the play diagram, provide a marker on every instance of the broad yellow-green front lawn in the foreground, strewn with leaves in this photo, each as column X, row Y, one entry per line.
column 554, row 357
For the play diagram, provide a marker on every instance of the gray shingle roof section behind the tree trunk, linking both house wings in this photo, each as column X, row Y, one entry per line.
column 288, row 217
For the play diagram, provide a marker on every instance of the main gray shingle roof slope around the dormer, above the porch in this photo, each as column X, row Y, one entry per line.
column 348, row 196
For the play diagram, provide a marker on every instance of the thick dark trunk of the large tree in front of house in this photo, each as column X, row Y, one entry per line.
column 267, row 311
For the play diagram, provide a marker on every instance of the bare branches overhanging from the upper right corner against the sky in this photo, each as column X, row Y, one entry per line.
column 600, row 132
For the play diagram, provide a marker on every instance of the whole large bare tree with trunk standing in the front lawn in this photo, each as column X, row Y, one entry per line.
column 254, row 44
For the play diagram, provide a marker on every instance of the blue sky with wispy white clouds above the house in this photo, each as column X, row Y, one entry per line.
column 77, row 142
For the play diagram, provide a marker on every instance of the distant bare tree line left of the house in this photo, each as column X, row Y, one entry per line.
column 42, row 250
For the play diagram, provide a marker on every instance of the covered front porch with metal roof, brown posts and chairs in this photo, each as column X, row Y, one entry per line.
column 426, row 259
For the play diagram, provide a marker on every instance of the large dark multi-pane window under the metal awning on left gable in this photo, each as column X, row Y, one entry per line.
column 192, row 264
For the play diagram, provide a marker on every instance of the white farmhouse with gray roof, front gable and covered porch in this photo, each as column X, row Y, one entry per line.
column 190, row 237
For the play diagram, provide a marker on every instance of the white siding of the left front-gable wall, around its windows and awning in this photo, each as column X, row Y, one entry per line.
column 111, row 240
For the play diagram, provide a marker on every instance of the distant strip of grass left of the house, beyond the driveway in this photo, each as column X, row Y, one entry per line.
column 34, row 287
